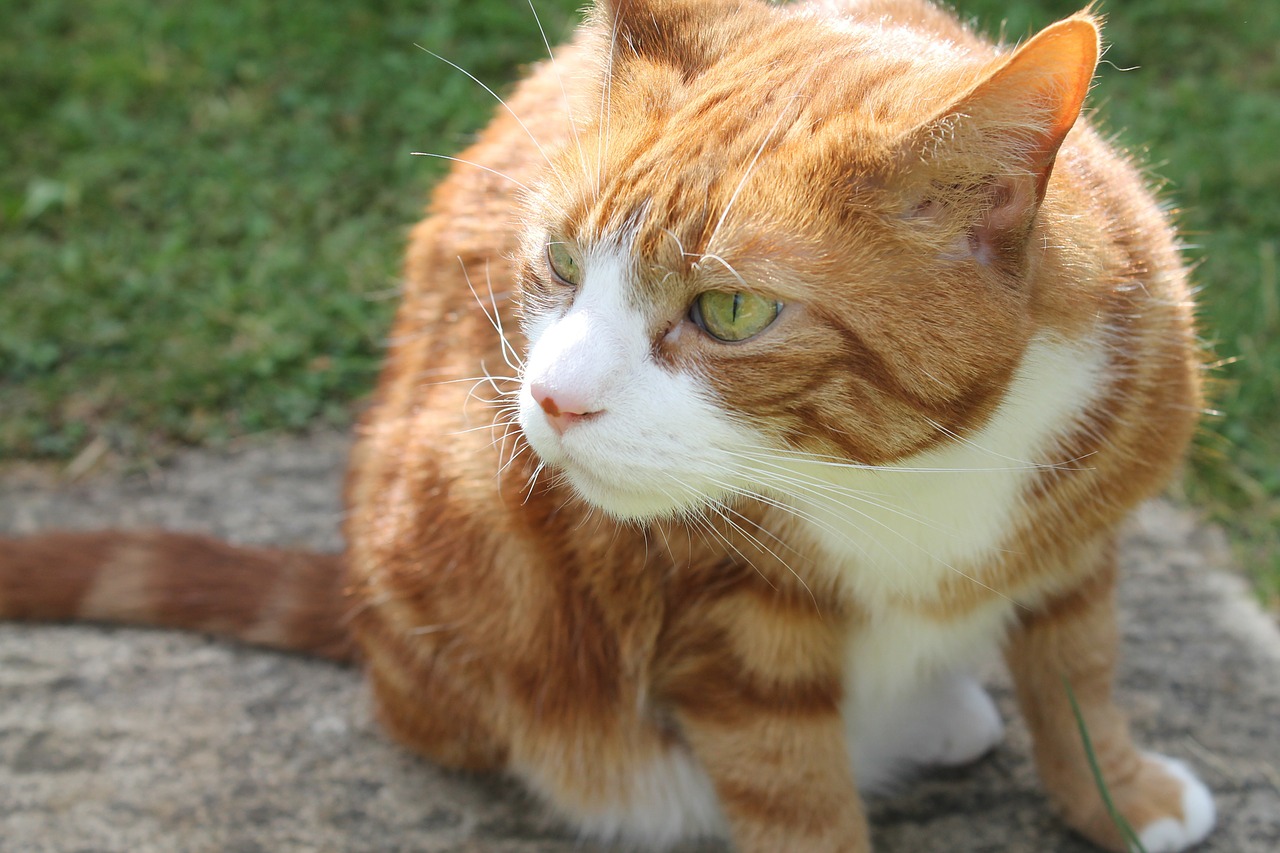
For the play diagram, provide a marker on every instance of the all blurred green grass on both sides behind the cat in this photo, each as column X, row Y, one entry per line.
column 203, row 207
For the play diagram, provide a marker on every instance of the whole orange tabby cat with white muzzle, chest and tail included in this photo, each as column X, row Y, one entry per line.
column 839, row 345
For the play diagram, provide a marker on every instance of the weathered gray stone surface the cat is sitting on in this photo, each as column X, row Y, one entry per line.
column 120, row 740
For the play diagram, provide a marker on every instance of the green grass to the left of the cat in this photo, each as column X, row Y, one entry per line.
column 204, row 204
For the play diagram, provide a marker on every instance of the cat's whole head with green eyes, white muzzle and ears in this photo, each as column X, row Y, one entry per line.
column 779, row 231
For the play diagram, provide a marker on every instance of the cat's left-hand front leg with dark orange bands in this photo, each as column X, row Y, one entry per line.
column 758, row 699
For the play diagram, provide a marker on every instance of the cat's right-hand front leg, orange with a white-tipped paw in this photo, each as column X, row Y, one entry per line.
column 1068, row 647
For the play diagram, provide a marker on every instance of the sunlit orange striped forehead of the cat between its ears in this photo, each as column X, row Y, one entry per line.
column 755, row 149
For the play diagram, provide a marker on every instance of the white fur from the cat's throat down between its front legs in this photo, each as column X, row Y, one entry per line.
column 895, row 536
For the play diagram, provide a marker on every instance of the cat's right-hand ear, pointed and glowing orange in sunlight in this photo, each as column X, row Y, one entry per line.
column 1002, row 139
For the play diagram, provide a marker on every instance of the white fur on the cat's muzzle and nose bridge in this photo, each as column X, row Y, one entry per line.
column 657, row 444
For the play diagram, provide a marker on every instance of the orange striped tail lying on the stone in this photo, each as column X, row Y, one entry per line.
column 278, row 599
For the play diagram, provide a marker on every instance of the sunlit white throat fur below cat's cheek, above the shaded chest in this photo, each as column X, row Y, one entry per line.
column 950, row 509
